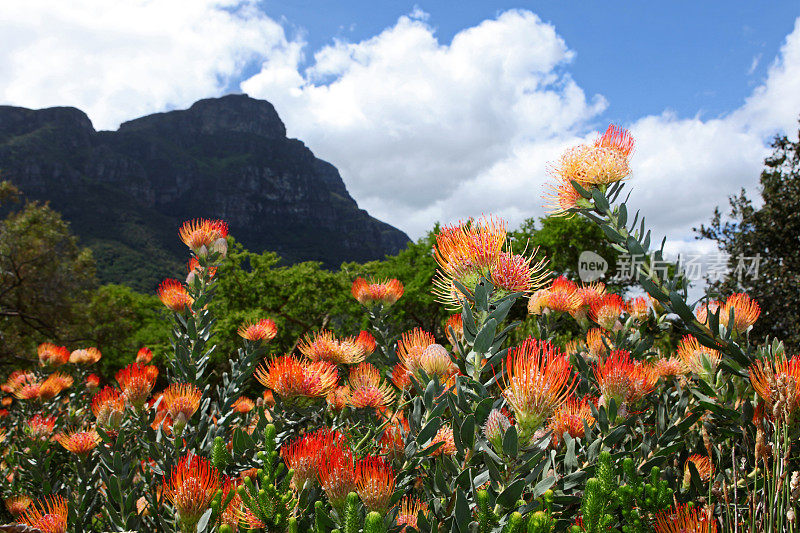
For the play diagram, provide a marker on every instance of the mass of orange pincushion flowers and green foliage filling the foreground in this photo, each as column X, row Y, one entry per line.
column 389, row 431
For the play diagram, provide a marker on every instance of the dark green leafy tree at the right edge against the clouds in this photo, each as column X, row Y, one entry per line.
column 772, row 232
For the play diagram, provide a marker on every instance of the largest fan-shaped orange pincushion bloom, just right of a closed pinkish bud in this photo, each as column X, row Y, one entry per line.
column 537, row 380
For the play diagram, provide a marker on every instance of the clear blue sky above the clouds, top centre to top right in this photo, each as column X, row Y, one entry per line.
column 692, row 57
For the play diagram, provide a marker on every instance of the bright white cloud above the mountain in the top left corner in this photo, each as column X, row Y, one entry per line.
column 121, row 59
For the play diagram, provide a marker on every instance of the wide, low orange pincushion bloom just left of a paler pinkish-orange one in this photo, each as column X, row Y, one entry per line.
column 296, row 380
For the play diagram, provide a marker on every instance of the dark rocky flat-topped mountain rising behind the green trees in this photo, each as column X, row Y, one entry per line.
column 126, row 192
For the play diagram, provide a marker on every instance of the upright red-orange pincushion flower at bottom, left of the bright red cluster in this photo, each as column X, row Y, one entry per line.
column 190, row 489
